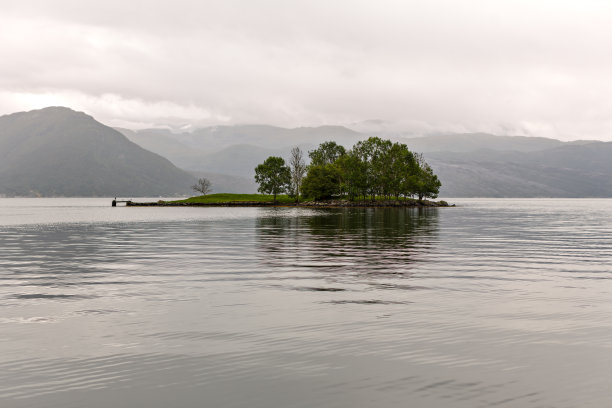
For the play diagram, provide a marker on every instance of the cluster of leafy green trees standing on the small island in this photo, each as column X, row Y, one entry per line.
column 373, row 168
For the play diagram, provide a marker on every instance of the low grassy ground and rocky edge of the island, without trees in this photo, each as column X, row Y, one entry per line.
column 262, row 200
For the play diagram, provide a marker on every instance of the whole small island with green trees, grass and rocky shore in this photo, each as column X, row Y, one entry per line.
column 373, row 173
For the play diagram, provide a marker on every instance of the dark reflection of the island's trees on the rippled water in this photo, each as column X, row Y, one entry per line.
column 337, row 243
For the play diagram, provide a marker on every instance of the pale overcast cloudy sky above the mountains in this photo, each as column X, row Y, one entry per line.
column 535, row 68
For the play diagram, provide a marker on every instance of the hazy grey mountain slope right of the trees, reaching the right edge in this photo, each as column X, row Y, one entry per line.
column 568, row 171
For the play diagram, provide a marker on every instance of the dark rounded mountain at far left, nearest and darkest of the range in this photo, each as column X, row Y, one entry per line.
column 60, row 152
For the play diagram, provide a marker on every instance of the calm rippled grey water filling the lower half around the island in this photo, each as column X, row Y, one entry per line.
column 492, row 303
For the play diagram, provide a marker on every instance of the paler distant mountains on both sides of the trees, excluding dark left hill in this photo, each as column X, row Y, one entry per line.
column 468, row 164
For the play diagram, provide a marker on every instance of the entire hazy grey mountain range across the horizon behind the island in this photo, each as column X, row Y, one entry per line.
column 59, row 152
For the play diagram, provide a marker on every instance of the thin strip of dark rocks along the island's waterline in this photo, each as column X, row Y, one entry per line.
column 307, row 204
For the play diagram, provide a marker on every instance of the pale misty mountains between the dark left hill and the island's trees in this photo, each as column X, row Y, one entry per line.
column 228, row 155
